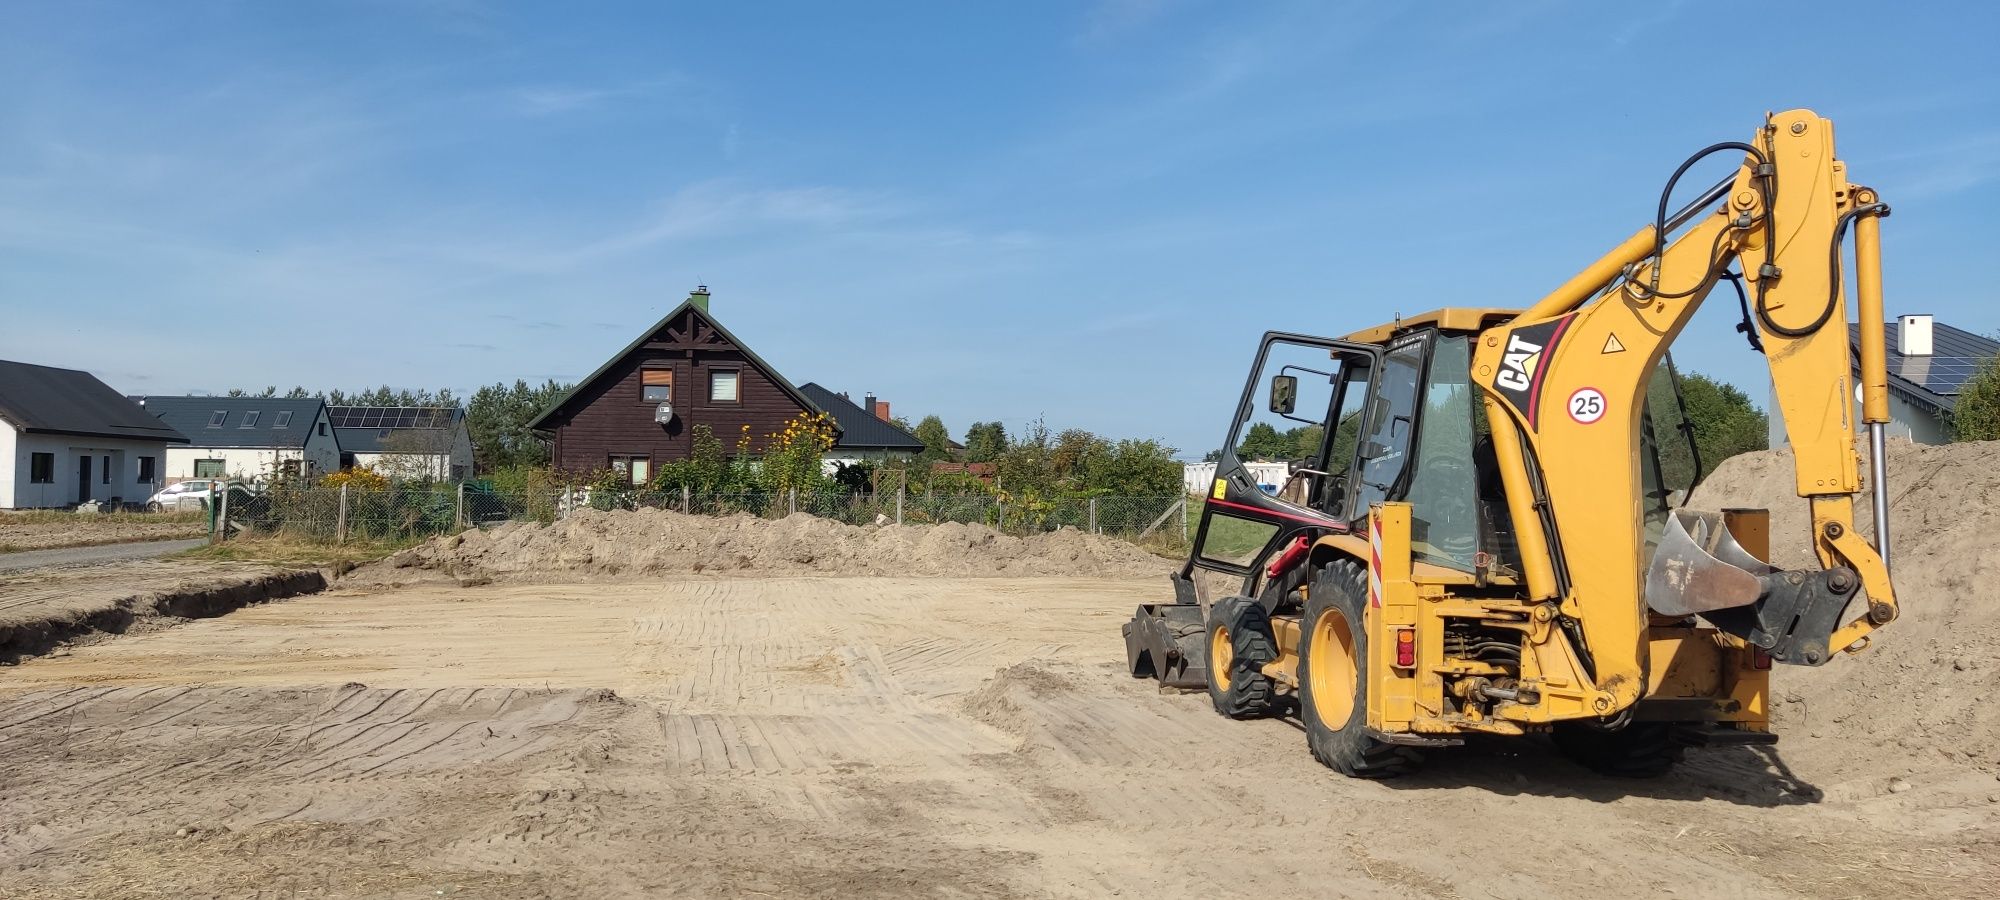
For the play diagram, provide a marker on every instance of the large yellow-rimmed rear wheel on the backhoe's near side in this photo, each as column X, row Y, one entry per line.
column 1333, row 677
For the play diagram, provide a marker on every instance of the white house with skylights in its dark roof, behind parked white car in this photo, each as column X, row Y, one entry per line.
column 247, row 437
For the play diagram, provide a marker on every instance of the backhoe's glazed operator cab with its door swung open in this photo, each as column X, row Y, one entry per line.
column 1327, row 429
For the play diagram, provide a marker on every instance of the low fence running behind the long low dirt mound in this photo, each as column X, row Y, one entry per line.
column 401, row 513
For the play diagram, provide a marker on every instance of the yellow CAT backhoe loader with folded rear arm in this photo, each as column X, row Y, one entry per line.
column 1485, row 529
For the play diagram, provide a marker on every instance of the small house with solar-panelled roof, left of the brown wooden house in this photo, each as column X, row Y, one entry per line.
column 405, row 441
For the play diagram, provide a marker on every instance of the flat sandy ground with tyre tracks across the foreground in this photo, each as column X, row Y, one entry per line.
column 847, row 737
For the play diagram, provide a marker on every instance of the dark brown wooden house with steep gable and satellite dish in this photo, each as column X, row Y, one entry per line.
column 641, row 409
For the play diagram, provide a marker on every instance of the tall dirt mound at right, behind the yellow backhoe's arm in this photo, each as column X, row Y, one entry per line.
column 1923, row 687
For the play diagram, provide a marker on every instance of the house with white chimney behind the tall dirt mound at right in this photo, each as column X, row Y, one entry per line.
column 1929, row 365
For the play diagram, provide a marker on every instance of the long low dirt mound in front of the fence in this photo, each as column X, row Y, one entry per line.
column 637, row 543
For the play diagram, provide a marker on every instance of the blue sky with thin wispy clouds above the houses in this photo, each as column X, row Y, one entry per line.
column 1077, row 211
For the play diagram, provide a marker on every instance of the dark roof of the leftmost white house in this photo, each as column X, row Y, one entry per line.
column 65, row 401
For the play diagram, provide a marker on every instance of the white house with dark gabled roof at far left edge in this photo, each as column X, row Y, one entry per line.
column 71, row 439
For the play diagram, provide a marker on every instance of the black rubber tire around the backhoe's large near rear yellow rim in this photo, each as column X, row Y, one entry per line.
column 1345, row 747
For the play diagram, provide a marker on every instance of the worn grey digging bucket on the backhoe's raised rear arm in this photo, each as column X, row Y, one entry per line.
column 1701, row 571
